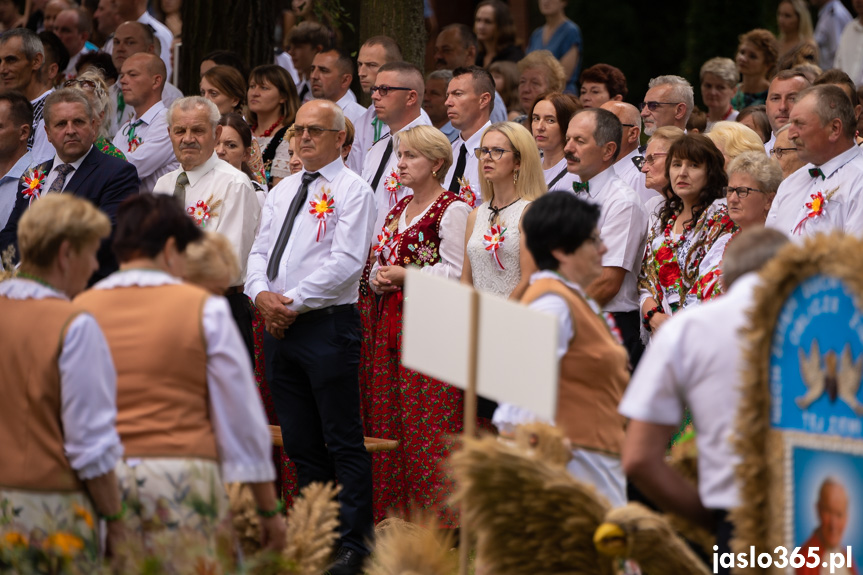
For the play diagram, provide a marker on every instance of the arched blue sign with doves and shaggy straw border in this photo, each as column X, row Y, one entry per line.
column 798, row 426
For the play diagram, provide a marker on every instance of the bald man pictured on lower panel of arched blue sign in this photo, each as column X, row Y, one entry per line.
column 832, row 510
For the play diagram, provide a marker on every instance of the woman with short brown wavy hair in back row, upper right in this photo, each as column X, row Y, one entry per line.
column 756, row 58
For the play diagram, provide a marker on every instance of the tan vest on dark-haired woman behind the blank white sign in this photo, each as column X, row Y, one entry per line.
column 593, row 375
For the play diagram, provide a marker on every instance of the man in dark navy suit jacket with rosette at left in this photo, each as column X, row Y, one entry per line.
column 77, row 167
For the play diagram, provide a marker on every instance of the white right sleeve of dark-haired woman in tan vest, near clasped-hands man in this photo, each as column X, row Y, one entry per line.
column 236, row 411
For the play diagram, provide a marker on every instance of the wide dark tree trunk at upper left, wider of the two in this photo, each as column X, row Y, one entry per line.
column 246, row 27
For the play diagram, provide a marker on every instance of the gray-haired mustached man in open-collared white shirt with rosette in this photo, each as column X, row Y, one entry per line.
column 219, row 197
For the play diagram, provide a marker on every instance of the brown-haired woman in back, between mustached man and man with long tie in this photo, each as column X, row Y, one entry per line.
column 273, row 105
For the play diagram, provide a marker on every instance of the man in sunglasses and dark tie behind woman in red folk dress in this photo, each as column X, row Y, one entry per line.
column 397, row 98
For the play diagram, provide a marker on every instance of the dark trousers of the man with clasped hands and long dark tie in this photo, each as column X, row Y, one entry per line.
column 314, row 378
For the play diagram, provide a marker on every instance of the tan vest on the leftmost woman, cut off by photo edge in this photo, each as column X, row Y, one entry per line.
column 31, row 431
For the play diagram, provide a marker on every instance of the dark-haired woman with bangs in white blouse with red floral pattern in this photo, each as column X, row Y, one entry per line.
column 684, row 236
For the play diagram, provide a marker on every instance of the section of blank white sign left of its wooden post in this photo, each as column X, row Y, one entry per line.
column 436, row 327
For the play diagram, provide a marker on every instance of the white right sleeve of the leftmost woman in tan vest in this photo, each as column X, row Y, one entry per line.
column 88, row 393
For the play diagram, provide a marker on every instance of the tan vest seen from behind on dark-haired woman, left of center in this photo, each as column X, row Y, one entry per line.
column 157, row 342
